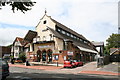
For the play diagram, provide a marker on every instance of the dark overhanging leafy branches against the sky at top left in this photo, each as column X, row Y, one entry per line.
column 18, row 4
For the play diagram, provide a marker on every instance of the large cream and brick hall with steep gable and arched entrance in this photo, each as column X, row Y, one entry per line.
column 52, row 41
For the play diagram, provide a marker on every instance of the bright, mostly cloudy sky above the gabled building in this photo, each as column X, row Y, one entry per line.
column 94, row 19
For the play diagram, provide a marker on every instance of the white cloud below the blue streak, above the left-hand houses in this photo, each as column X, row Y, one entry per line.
column 8, row 35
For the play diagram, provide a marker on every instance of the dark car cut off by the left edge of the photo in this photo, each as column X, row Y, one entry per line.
column 4, row 68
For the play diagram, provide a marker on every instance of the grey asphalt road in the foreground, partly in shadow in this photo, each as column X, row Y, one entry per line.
column 33, row 74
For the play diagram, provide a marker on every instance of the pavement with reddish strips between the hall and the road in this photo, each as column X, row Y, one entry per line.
column 88, row 68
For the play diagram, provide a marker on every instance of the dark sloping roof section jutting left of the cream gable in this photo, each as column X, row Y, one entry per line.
column 30, row 35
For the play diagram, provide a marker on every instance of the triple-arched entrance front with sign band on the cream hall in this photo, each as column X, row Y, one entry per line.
column 44, row 52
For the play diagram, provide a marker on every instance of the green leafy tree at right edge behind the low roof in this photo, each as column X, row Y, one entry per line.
column 113, row 41
